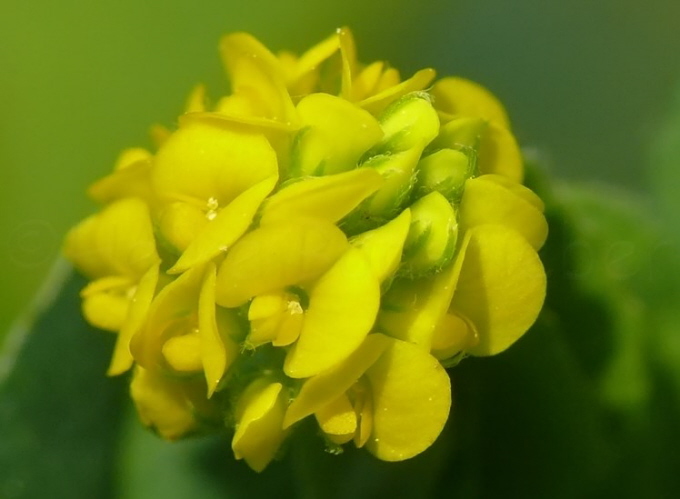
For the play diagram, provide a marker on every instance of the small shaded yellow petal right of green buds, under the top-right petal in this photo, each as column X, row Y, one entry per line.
column 500, row 154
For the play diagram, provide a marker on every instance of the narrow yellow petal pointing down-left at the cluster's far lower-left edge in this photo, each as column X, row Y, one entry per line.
column 137, row 314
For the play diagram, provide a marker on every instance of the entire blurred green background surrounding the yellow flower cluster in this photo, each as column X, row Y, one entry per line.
column 587, row 402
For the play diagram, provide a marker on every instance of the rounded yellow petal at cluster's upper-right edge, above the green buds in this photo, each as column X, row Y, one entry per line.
column 461, row 97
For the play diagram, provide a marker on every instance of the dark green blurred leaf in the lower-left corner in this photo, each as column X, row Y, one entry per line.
column 59, row 414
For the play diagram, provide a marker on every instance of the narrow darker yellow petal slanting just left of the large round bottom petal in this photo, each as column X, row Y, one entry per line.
column 320, row 390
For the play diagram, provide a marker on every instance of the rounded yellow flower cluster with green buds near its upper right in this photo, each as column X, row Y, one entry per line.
column 319, row 242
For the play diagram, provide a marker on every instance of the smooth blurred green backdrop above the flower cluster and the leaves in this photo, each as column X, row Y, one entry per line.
column 585, row 81
